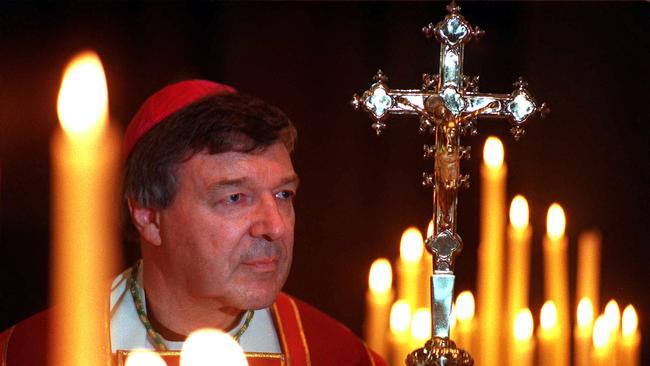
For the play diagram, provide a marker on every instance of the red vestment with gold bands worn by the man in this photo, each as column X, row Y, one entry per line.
column 307, row 337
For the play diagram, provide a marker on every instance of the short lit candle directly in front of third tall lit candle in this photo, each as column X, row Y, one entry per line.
column 548, row 336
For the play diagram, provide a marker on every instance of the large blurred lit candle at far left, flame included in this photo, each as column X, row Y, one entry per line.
column 85, row 156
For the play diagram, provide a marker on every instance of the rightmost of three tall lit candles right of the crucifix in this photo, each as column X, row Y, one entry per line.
column 556, row 278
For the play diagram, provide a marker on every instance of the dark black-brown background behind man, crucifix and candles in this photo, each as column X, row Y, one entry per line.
column 589, row 61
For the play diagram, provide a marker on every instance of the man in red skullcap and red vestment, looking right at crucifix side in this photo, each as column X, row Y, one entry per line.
column 209, row 185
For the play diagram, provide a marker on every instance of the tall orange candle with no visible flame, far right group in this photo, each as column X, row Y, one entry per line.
column 588, row 275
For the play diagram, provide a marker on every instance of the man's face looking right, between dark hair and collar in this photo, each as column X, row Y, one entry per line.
column 228, row 234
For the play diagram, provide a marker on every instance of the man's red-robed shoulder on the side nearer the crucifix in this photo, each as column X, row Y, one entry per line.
column 329, row 342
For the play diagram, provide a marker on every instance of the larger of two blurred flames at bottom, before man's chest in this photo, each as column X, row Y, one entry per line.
column 211, row 347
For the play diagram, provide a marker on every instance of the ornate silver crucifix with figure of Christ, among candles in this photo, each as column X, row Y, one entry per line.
column 448, row 105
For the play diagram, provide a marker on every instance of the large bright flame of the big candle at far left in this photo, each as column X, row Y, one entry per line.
column 82, row 105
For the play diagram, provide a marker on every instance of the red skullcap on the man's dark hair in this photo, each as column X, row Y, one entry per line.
column 165, row 102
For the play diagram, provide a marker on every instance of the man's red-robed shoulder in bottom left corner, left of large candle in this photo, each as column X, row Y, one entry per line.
column 26, row 342
